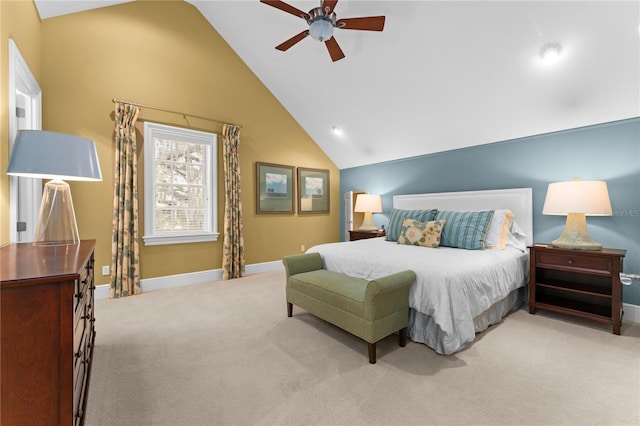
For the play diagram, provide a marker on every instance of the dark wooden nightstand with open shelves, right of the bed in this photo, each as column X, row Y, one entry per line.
column 583, row 283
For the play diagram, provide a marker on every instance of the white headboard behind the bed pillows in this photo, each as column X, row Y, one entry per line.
column 518, row 200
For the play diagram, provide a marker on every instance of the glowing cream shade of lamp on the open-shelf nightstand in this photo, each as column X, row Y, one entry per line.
column 578, row 196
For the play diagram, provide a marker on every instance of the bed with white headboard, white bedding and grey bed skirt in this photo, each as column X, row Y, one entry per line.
column 458, row 292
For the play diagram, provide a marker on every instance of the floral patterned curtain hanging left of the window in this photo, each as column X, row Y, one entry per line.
column 125, row 274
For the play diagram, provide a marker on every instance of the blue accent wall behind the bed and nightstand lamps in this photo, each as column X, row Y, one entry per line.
column 609, row 152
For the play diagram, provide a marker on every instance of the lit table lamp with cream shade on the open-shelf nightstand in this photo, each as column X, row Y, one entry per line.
column 577, row 199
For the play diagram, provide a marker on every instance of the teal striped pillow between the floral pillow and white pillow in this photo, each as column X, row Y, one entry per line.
column 467, row 230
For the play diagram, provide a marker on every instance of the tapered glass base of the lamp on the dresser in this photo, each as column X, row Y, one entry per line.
column 57, row 219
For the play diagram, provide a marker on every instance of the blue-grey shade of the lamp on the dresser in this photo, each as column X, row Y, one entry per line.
column 51, row 155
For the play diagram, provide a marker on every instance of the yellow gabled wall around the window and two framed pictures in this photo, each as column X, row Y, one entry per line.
column 166, row 54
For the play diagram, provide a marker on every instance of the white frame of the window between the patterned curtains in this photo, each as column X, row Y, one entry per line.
column 152, row 131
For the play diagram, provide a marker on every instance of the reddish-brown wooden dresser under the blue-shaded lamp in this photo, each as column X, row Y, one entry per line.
column 47, row 325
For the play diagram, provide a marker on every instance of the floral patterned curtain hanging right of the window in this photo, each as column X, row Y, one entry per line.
column 233, row 245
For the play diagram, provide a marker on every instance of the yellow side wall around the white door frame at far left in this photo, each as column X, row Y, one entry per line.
column 19, row 21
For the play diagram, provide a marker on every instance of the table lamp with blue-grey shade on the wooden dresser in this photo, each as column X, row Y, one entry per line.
column 57, row 156
